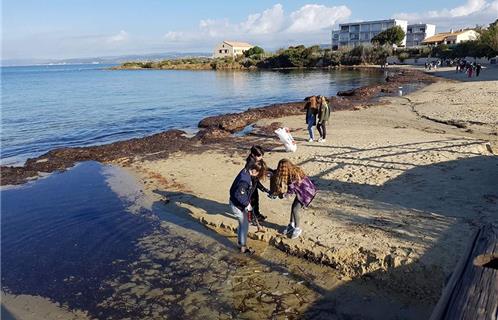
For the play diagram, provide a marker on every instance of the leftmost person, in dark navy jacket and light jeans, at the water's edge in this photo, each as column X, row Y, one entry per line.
column 240, row 199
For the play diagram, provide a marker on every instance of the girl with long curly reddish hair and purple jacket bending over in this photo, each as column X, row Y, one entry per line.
column 291, row 179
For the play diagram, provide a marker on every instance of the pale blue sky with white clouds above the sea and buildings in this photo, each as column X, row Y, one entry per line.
column 60, row 29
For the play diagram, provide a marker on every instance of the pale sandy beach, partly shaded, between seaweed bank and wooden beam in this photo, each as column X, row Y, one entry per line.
column 402, row 186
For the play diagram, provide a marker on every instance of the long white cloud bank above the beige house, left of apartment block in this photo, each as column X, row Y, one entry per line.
column 311, row 23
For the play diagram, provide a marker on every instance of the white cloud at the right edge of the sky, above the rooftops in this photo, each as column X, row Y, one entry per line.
column 469, row 14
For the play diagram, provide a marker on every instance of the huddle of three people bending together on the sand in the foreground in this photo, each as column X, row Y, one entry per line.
column 286, row 180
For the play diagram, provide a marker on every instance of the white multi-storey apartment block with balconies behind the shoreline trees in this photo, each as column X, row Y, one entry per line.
column 354, row 34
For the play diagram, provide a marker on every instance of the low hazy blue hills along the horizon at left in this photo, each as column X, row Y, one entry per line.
column 106, row 59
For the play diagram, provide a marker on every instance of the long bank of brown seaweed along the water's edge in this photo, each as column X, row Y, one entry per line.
column 212, row 129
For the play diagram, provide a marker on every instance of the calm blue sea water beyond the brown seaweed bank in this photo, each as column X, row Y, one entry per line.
column 45, row 107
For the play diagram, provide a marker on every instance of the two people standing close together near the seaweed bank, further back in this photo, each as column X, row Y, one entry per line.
column 317, row 114
